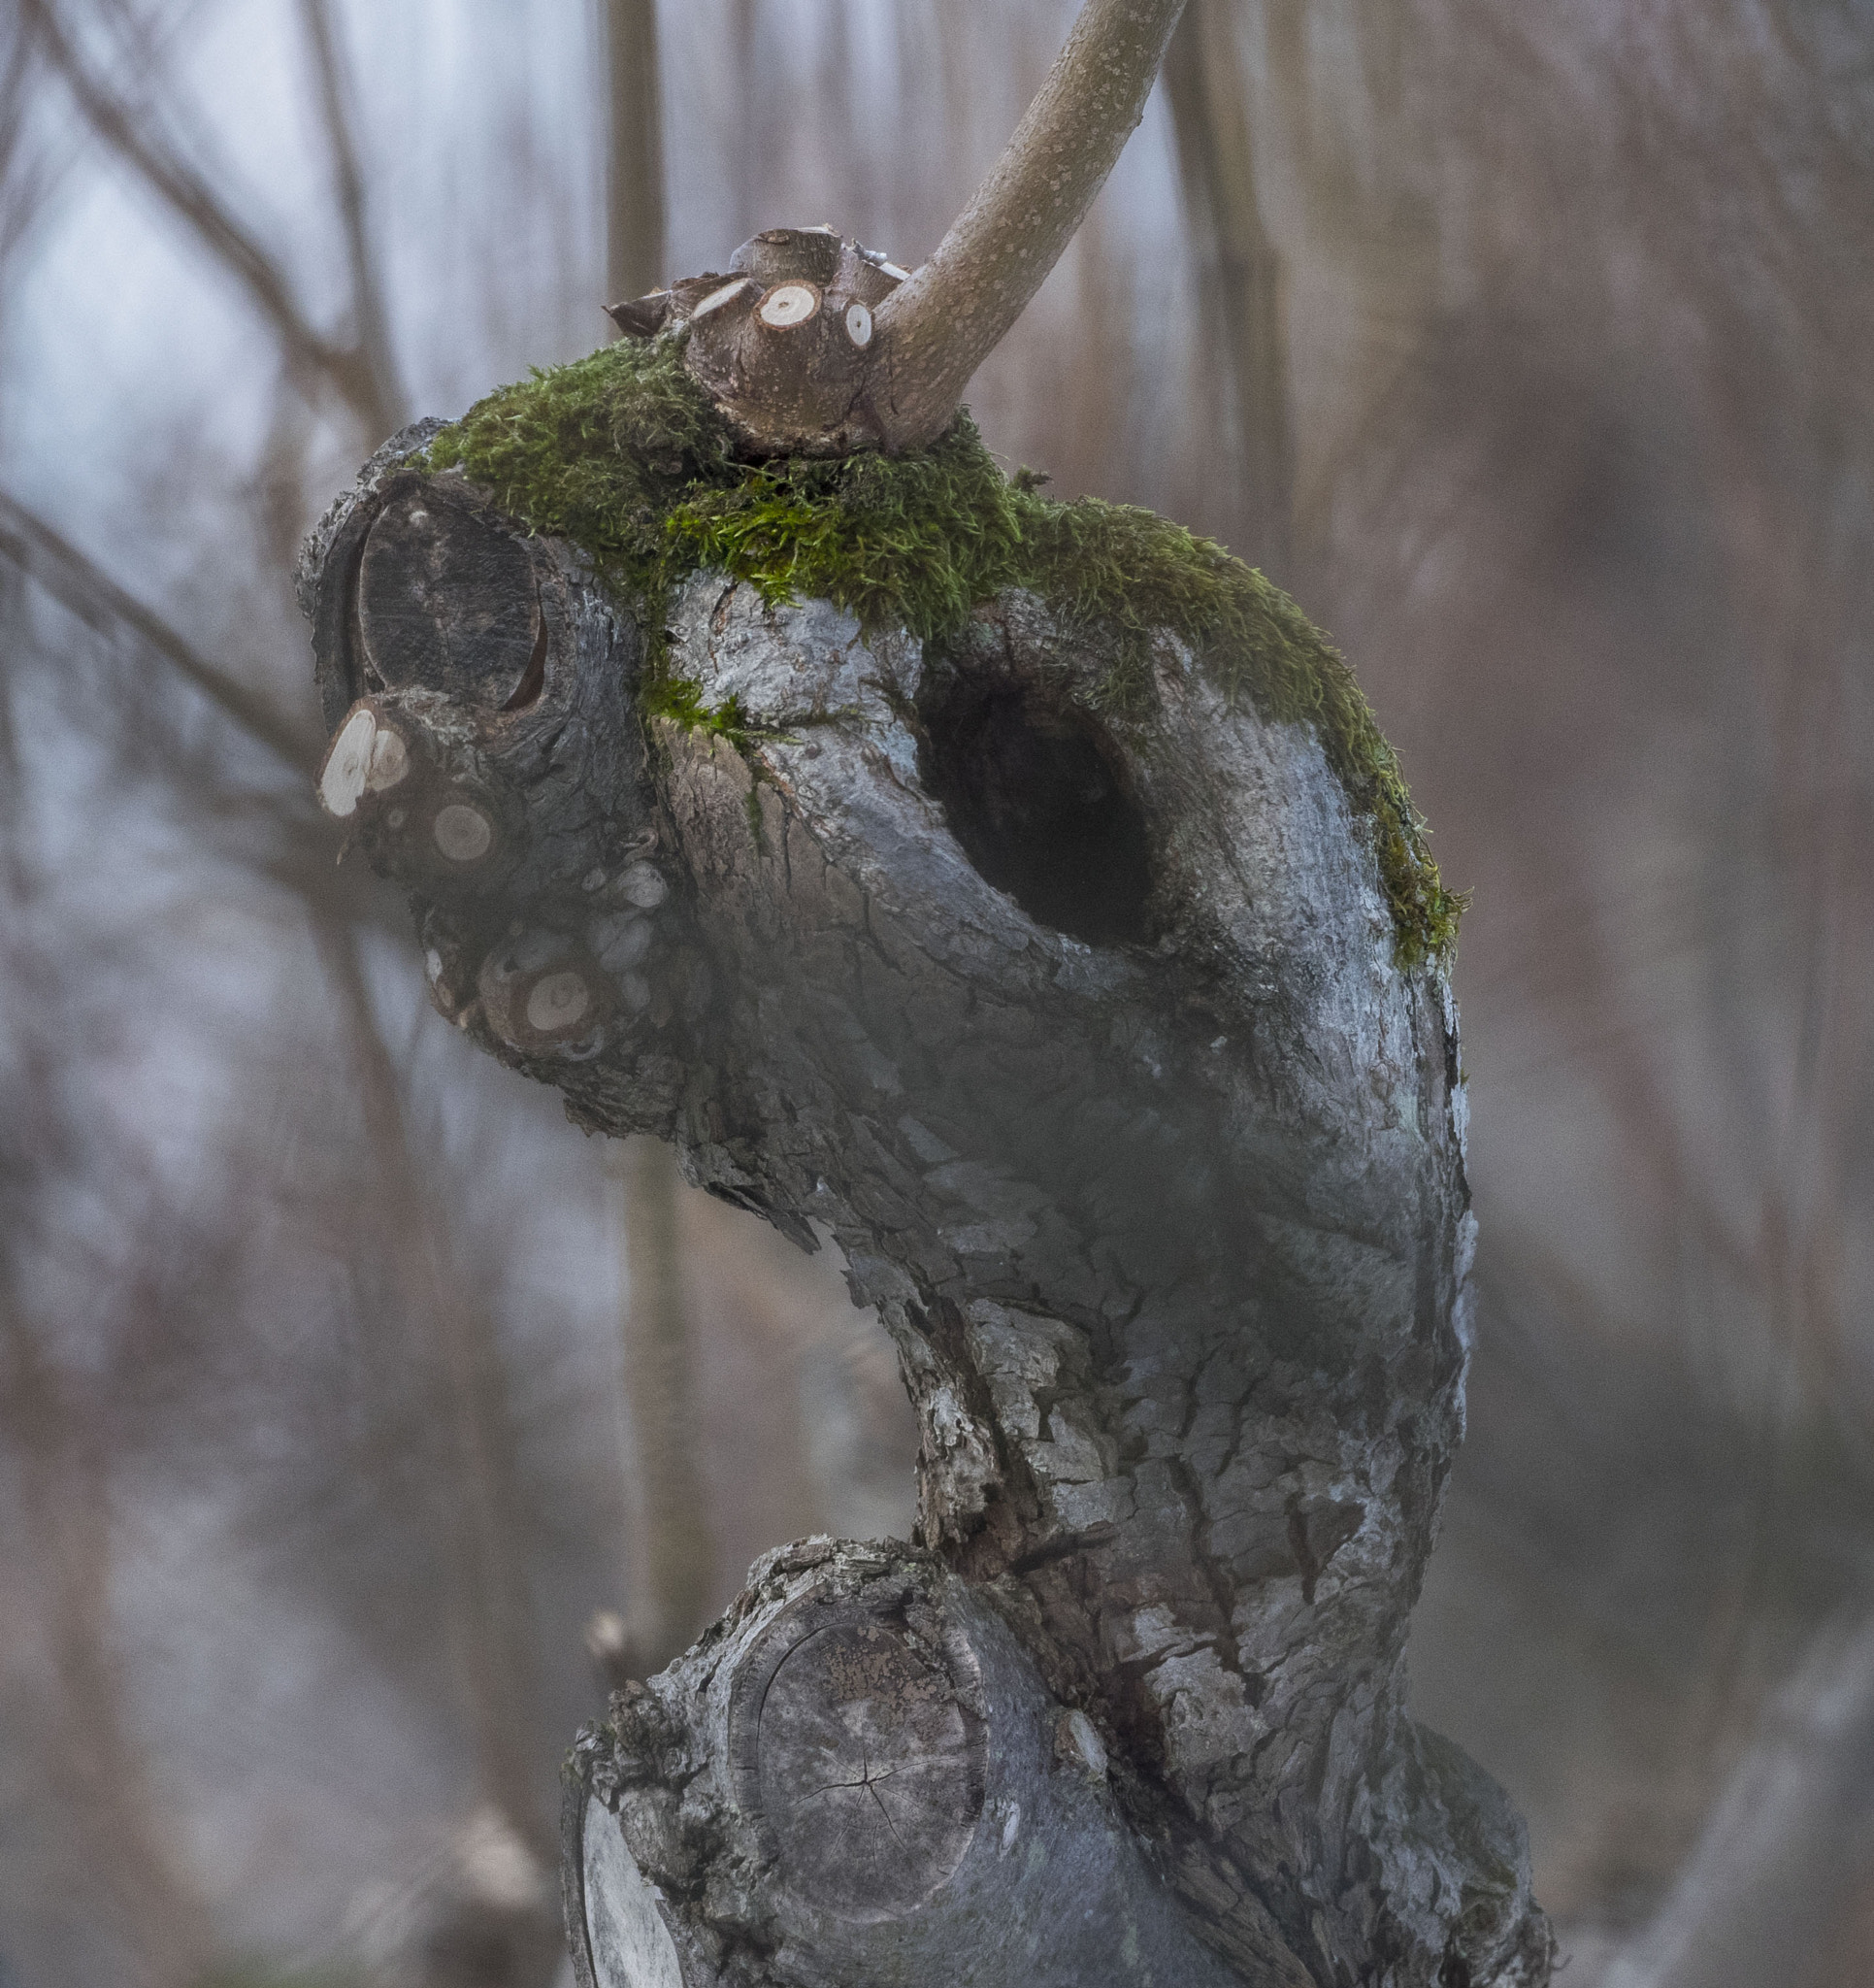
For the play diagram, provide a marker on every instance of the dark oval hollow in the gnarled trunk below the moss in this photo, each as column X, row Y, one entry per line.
column 1040, row 812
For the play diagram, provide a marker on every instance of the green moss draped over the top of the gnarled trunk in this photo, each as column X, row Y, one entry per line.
column 625, row 456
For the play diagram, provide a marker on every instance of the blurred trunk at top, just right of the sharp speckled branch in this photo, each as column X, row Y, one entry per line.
column 1245, row 331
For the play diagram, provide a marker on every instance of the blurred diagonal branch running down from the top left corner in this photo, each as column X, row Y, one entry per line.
column 196, row 204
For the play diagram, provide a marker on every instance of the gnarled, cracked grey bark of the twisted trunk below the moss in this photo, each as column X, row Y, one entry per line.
column 1086, row 1041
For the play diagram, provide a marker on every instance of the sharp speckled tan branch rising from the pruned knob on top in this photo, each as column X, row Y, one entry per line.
column 939, row 327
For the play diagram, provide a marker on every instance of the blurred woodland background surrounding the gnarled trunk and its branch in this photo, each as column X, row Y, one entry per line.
column 359, row 1416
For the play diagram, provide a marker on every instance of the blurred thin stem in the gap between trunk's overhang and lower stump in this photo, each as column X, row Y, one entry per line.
column 675, row 1568
